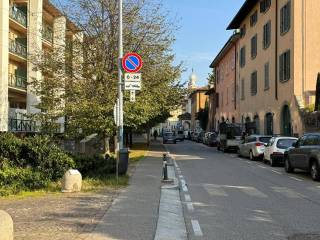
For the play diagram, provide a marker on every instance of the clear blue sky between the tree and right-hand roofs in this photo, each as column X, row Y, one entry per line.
column 202, row 32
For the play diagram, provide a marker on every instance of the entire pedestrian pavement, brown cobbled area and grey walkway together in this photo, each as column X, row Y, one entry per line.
column 94, row 216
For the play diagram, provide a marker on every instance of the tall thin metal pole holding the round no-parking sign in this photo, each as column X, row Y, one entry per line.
column 120, row 94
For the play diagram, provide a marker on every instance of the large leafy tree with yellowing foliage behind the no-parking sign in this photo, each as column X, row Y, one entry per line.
column 90, row 91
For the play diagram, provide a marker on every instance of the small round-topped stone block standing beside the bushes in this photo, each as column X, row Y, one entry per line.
column 72, row 181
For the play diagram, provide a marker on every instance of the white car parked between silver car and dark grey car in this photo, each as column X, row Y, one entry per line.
column 275, row 149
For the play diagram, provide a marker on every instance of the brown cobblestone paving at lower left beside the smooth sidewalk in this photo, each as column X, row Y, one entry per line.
column 58, row 216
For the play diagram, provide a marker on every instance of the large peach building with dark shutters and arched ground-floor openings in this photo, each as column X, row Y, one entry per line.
column 279, row 59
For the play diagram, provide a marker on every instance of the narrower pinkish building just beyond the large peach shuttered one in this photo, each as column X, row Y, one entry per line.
column 226, row 69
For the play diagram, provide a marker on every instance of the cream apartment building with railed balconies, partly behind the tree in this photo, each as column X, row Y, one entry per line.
column 27, row 28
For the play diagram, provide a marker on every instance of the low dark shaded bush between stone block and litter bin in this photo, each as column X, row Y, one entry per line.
column 94, row 166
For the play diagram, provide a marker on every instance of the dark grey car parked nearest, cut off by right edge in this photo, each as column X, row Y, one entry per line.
column 304, row 155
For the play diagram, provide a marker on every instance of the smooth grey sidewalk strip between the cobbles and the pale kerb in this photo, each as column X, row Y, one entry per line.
column 134, row 214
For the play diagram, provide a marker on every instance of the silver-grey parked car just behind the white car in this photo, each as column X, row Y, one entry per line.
column 254, row 146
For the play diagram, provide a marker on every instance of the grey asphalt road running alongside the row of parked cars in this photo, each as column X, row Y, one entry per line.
column 229, row 198
